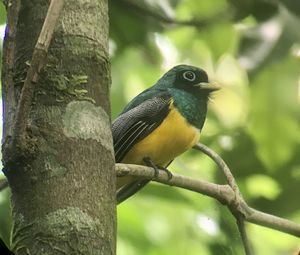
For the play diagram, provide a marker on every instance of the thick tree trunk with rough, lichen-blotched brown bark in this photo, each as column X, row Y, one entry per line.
column 63, row 181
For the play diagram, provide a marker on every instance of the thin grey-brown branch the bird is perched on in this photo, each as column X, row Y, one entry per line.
column 222, row 193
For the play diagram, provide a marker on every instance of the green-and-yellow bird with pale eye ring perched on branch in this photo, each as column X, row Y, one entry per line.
column 161, row 123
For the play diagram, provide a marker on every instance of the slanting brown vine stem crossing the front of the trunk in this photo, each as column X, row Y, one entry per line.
column 37, row 62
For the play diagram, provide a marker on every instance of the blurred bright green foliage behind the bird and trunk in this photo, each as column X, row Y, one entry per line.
column 252, row 48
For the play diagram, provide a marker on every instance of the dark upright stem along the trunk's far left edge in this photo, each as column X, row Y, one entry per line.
column 13, row 8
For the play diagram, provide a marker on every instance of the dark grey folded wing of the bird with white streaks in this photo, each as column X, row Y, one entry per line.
column 135, row 124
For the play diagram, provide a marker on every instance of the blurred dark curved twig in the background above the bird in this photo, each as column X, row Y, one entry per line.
column 145, row 11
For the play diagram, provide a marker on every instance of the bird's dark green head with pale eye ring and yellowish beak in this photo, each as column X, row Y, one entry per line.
column 189, row 78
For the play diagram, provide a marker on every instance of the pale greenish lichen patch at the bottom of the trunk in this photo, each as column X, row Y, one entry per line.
column 51, row 233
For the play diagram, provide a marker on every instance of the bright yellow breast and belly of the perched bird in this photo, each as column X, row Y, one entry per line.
column 170, row 139
